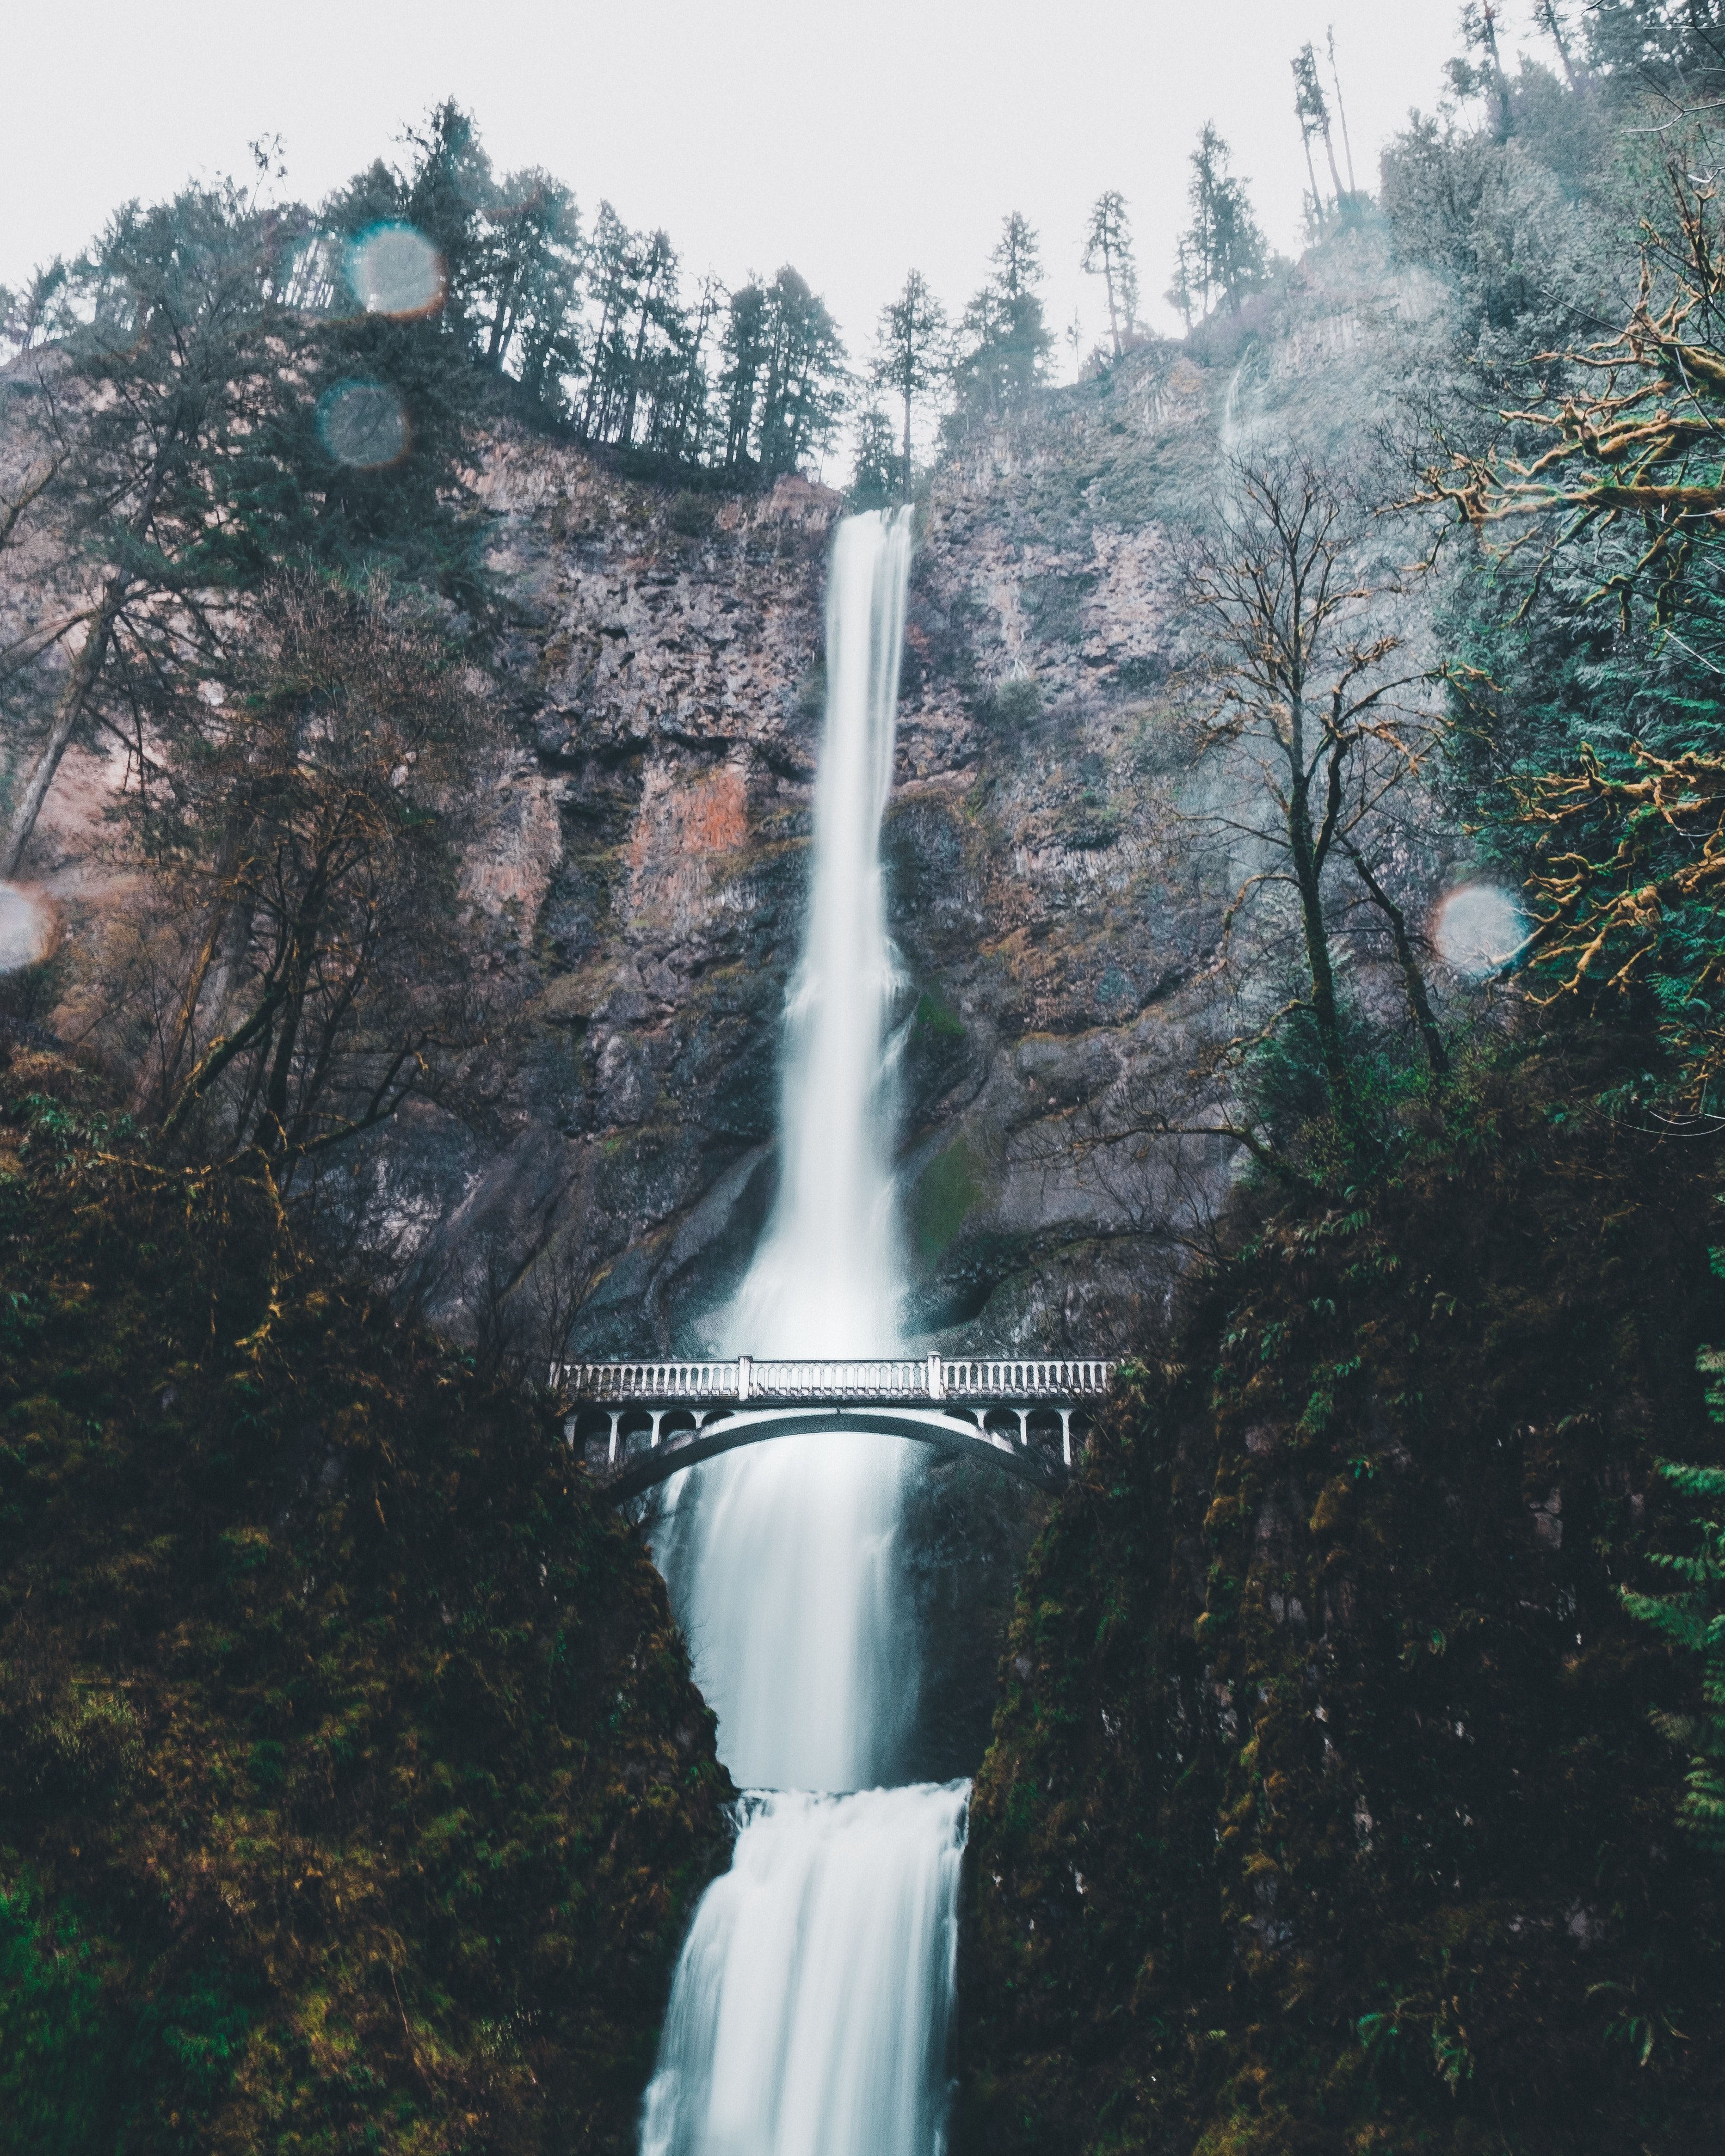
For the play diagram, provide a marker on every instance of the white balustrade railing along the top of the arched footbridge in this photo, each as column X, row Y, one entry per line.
column 971, row 1379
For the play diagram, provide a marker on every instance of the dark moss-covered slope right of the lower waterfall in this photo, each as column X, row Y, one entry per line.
column 1323, row 1808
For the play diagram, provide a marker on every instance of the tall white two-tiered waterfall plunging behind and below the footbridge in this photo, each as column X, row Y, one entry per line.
column 812, row 2000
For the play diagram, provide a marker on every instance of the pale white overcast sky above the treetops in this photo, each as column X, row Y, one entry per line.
column 851, row 141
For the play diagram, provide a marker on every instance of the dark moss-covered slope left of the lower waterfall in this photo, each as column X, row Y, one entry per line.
column 353, row 1782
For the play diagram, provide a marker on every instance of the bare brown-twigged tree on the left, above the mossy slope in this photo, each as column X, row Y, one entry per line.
column 312, row 827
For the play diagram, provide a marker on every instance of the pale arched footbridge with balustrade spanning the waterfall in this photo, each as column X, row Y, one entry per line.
column 637, row 1424
